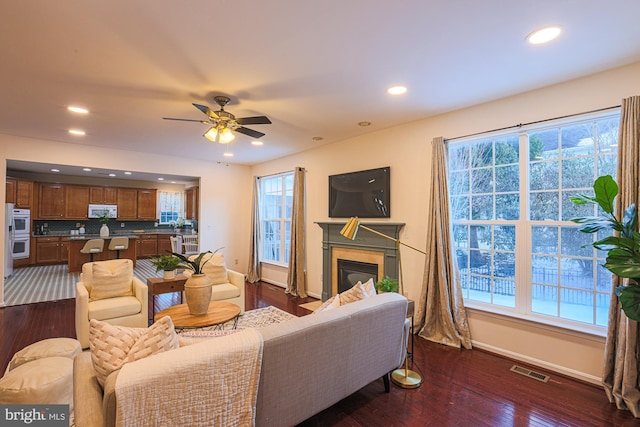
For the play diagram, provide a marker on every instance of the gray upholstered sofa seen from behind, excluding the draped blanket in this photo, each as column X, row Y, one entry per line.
column 308, row 363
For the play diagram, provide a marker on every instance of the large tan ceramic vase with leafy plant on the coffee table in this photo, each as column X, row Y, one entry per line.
column 197, row 288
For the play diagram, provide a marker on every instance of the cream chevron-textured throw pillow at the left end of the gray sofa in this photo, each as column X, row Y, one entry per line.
column 113, row 346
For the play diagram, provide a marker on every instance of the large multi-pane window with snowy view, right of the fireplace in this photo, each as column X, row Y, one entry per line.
column 516, row 248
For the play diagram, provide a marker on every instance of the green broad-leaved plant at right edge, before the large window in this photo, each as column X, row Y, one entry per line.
column 623, row 256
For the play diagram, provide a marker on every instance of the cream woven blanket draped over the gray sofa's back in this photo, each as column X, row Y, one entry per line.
column 214, row 382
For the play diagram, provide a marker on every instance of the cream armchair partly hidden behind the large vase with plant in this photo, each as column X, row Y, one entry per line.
column 228, row 285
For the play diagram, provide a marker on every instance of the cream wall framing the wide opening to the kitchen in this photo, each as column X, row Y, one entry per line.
column 225, row 191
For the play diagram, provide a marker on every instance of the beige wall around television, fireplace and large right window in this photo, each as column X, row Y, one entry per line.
column 407, row 150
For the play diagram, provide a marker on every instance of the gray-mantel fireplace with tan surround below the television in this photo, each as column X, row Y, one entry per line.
column 367, row 248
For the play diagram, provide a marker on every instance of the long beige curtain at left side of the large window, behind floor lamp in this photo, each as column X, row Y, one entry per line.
column 441, row 316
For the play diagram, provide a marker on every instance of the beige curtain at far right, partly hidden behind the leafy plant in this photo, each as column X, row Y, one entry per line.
column 620, row 374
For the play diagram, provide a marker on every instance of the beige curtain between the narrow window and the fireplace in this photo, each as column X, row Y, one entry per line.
column 296, row 277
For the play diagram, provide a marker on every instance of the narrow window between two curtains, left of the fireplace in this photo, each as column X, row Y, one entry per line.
column 276, row 195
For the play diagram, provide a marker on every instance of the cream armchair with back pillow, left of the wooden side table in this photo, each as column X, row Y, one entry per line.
column 109, row 291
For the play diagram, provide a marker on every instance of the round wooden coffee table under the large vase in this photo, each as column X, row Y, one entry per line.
column 218, row 314
